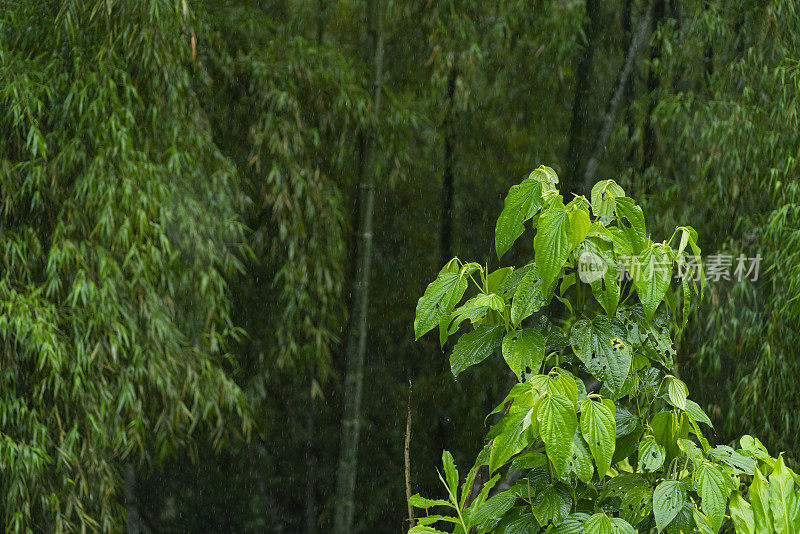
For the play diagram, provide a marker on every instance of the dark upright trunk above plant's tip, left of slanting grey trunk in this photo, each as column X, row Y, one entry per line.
column 580, row 105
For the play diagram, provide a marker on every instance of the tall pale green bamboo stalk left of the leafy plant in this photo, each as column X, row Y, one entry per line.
column 357, row 337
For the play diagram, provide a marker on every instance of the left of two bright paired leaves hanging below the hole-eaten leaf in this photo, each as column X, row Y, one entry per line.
column 557, row 424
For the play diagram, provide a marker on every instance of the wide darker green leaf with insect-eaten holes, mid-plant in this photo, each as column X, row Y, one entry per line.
column 601, row 346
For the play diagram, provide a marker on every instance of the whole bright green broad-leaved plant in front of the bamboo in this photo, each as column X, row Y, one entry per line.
column 598, row 434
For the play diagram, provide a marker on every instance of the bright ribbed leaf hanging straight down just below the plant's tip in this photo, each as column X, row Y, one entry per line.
column 552, row 243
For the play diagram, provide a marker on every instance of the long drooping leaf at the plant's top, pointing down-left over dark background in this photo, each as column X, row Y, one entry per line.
column 521, row 203
